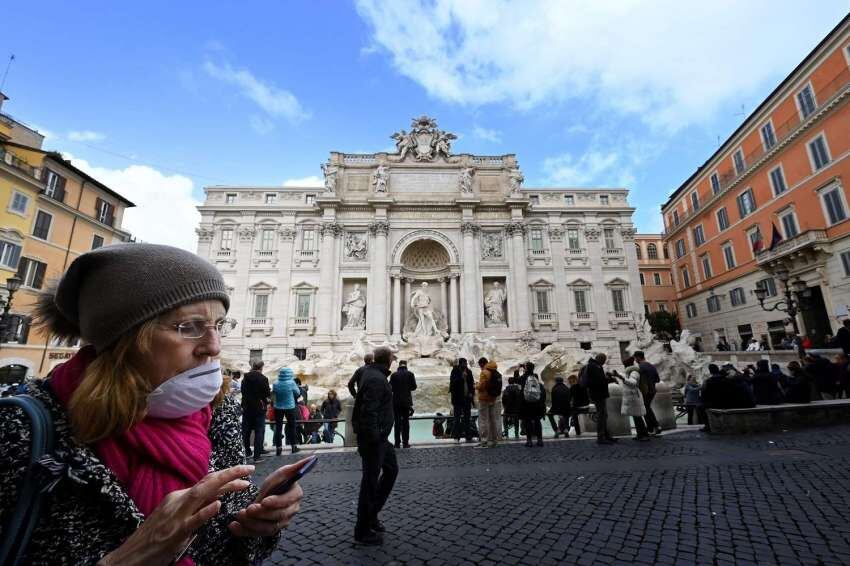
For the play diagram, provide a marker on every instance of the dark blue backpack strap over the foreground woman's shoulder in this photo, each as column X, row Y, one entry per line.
column 22, row 521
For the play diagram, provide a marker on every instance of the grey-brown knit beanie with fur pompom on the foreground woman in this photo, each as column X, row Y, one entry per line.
column 111, row 290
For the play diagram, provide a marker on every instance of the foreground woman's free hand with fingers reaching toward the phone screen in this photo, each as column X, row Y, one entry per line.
column 168, row 529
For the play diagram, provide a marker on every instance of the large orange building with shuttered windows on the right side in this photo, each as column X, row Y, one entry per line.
column 769, row 207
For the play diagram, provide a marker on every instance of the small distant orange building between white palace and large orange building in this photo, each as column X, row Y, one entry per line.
column 656, row 278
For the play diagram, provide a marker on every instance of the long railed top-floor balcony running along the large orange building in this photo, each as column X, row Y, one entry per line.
column 838, row 87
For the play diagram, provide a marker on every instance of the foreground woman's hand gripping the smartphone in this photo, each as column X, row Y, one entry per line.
column 270, row 513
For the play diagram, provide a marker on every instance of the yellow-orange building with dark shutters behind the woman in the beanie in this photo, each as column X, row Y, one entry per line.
column 68, row 213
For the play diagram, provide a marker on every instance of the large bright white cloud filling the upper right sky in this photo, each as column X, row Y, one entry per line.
column 671, row 63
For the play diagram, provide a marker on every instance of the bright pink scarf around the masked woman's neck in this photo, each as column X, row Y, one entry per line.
column 154, row 457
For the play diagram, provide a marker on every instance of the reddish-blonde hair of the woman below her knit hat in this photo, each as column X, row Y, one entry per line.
column 112, row 396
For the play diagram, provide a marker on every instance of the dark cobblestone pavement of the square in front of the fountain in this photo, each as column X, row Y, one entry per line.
column 682, row 499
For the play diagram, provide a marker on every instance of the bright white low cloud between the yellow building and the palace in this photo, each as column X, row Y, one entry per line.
column 165, row 210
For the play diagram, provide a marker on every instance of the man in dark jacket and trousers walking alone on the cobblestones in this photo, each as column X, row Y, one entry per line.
column 373, row 421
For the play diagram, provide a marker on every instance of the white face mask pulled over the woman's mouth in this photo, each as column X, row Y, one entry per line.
column 186, row 392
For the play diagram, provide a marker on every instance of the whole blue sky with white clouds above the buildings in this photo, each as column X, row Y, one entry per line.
column 159, row 99
